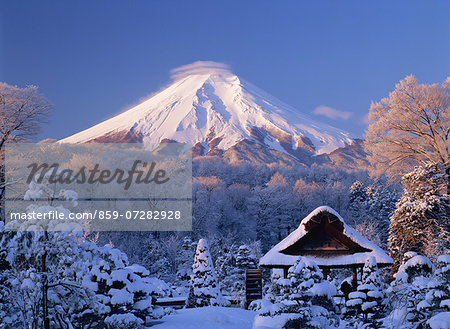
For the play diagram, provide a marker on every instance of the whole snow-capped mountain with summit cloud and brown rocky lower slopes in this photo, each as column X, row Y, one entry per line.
column 219, row 113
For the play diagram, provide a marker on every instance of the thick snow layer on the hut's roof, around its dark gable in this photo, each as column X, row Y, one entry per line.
column 274, row 258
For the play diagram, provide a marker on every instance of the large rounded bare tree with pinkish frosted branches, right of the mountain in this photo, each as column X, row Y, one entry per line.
column 410, row 127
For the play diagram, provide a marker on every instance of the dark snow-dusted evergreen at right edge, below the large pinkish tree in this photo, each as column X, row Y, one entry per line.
column 421, row 219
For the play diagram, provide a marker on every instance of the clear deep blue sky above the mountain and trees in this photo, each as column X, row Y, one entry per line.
column 93, row 59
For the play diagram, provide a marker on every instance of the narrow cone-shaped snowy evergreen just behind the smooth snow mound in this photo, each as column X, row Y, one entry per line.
column 205, row 290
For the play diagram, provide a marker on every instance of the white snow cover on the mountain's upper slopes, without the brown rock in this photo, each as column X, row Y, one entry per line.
column 215, row 103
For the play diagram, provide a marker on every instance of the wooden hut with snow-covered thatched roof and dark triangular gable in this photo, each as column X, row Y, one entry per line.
column 324, row 237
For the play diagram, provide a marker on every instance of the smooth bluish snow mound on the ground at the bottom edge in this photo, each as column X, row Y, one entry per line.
column 208, row 318
